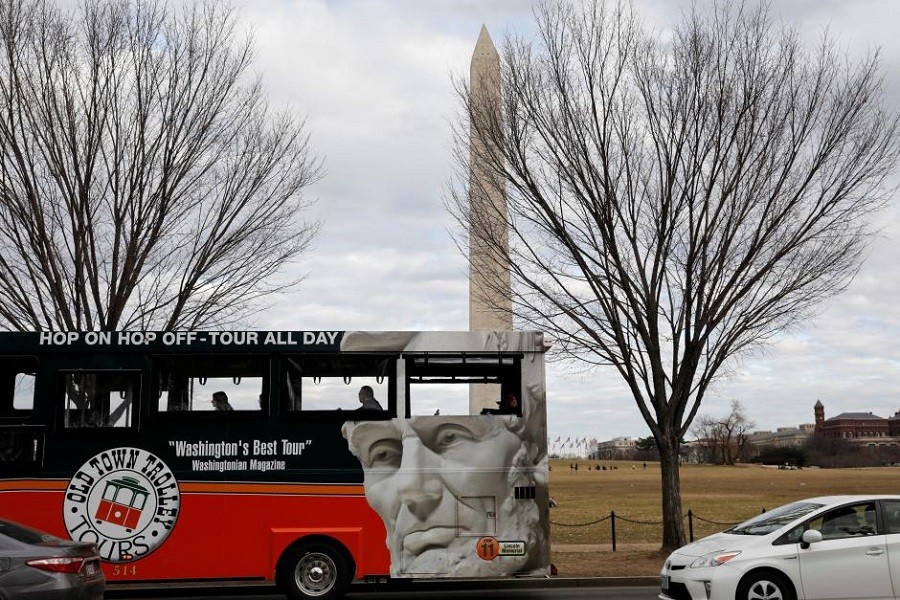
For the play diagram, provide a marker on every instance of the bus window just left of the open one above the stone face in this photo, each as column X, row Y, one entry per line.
column 332, row 383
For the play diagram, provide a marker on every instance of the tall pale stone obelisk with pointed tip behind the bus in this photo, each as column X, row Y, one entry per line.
column 490, row 300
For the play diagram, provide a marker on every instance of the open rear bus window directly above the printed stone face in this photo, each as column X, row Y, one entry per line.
column 463, row 385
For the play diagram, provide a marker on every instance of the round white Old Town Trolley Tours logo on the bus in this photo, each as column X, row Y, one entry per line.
column 124, row 500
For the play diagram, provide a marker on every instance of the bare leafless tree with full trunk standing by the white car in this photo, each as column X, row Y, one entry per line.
column 676, row 199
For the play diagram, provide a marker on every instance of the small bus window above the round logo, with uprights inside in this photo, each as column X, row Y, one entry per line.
column 100, row 398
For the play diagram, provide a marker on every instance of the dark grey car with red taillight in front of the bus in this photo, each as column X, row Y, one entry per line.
column 38, row 566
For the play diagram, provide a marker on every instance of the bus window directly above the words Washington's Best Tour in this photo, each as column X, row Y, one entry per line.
column 188, row 383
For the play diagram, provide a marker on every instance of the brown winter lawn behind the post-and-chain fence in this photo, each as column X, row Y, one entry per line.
column 580, row 529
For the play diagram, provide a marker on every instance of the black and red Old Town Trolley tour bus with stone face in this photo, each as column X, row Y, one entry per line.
column 305, row 458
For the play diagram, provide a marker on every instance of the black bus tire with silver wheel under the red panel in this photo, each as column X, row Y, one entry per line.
column 315, row 569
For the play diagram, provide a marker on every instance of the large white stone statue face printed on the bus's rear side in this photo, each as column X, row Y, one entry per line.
column 439, row 483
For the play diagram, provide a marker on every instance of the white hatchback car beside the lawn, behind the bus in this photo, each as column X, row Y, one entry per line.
column 831, row 547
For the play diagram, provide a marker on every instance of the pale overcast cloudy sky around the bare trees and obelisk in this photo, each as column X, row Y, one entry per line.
column 374, row 79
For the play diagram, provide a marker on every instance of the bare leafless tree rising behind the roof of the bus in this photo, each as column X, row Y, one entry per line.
column 144, row 182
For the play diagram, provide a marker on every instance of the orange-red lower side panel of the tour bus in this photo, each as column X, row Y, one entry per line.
column 218, row 535
